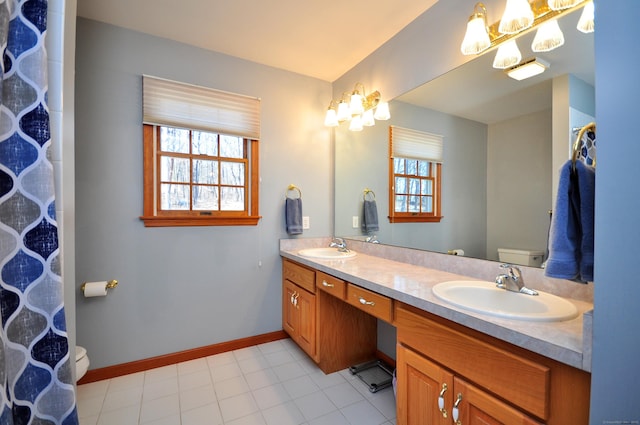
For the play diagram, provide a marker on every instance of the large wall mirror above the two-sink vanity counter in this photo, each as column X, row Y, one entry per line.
column 504, row 141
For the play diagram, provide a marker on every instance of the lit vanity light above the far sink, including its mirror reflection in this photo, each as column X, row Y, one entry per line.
column 357, row 107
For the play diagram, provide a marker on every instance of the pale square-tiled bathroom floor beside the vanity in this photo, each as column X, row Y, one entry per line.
column 267, row 384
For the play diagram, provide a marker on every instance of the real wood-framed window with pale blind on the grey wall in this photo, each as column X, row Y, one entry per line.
column 200, row 155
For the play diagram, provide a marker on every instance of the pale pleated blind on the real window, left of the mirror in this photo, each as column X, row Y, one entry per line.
column 183, row 105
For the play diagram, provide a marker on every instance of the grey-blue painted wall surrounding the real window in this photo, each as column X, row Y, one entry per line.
column 188, row 287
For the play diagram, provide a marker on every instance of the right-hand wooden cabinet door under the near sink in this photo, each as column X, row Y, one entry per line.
column 477, row 407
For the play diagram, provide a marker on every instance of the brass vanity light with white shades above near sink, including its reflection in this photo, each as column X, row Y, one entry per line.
column 522, row 16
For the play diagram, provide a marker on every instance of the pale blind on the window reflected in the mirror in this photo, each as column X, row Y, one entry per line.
column 415, row 144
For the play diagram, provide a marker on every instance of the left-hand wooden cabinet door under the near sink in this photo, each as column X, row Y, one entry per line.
column 419, row 385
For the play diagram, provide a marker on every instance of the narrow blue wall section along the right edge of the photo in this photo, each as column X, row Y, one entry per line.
column 615, row 389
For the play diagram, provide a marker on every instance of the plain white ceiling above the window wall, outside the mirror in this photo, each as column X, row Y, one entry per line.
column 318, row 38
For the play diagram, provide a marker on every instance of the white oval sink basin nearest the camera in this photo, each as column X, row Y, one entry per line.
column 484, row 297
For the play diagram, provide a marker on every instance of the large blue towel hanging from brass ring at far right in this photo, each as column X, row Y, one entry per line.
column 572, row 225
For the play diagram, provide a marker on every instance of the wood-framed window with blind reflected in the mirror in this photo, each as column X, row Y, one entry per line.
column 415, row 176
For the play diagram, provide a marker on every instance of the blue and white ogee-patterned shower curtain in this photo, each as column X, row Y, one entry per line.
column 35, row 363
